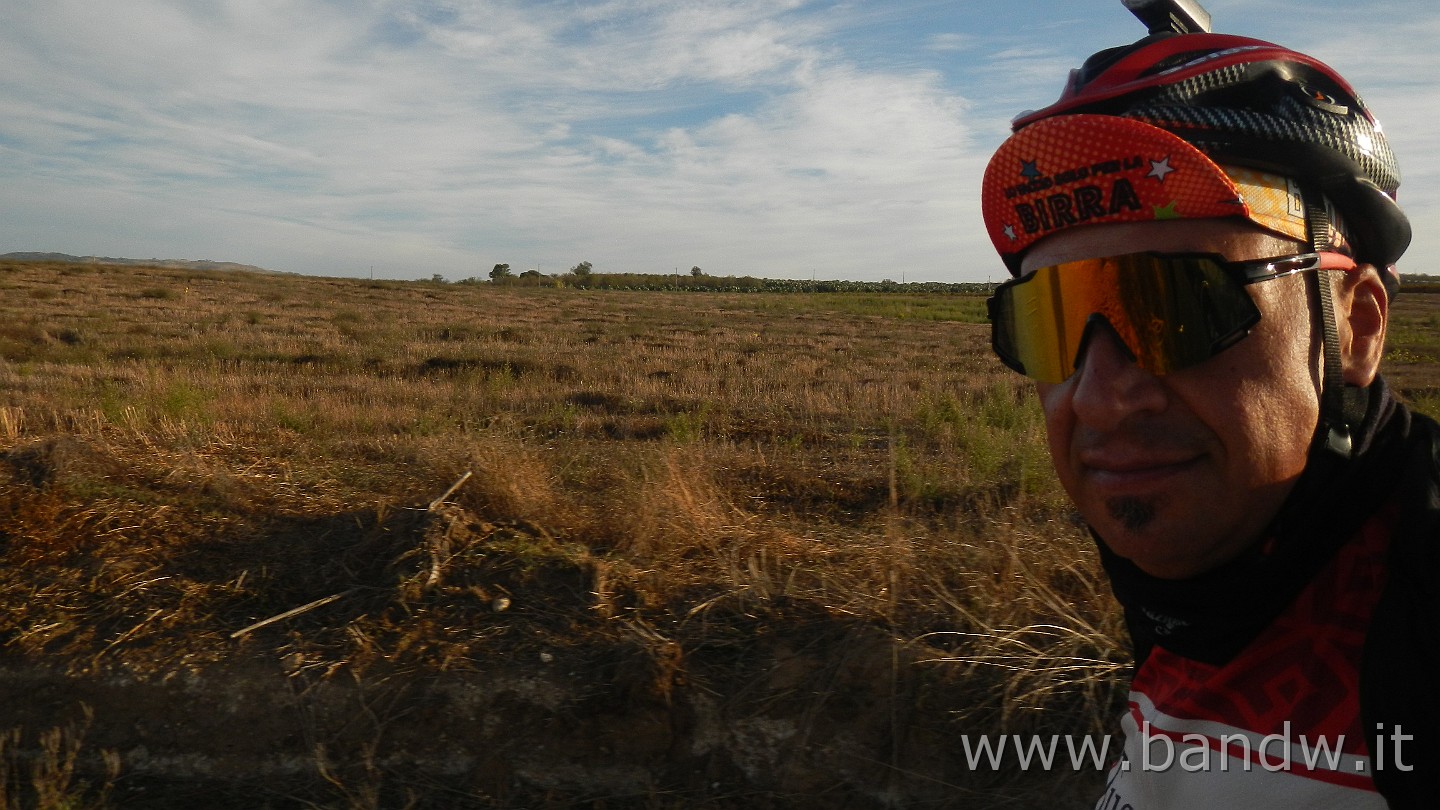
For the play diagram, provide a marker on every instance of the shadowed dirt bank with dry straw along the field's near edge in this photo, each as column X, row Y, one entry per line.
column 441, row 661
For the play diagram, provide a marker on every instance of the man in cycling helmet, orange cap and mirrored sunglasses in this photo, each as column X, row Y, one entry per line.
column 1203, row 233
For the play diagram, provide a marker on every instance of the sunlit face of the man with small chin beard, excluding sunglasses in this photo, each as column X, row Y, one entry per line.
column 1180, row 473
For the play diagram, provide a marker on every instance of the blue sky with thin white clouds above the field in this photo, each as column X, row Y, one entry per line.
column 405, row 139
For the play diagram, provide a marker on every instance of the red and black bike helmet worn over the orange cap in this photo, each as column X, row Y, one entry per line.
column 1259, row 106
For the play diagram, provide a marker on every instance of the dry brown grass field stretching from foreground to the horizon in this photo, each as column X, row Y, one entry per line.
column 282, row 541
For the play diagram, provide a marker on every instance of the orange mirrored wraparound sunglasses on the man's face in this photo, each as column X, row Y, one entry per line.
column 1169, row 311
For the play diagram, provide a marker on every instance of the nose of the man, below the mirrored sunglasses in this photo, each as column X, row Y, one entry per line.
column 1110, row 387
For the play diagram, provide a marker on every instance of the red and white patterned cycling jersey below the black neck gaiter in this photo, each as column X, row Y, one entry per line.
column 1279, row 726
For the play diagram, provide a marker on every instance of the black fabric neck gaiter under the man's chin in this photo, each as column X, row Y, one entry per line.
column 1216, row 615
